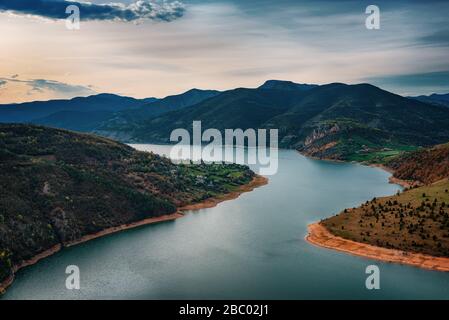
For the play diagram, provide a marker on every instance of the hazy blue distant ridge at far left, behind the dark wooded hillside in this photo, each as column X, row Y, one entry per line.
column 88, row 114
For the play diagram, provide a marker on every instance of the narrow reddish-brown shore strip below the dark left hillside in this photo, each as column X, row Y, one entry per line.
column 257, row 181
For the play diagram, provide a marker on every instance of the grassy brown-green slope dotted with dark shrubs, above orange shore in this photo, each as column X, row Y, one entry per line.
column 415, row 220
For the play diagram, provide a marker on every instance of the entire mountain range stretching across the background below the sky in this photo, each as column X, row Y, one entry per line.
column 337, row 121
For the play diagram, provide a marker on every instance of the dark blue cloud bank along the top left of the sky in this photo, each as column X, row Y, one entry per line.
column 138, row 10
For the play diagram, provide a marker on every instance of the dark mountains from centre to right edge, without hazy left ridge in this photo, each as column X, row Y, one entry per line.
column 336, row 121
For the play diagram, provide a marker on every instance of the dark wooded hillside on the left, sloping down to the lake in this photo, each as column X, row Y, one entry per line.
column 57, row 186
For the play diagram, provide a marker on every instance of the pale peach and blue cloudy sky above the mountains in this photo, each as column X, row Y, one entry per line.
column 157, row 48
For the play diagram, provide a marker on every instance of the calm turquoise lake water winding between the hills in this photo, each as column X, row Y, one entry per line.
column 252, row 247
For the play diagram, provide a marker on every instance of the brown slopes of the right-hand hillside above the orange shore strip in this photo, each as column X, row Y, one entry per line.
column 416, row 220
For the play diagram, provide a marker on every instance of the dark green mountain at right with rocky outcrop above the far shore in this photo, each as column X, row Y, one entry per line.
column 359, row 122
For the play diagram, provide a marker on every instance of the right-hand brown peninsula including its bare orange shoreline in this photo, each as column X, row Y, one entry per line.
column 411, row 227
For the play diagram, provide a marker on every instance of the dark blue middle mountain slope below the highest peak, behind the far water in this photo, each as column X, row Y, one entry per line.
column 238, row 108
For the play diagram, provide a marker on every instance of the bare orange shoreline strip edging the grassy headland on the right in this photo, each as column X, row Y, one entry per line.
column 318, row 235
